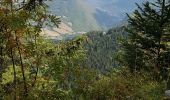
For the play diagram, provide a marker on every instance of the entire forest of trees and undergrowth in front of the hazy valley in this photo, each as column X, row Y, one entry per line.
column 128, row 62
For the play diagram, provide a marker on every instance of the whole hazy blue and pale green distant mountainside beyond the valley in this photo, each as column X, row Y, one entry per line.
column 88, row 15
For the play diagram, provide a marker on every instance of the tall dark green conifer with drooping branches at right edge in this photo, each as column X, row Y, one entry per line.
column 147, row 44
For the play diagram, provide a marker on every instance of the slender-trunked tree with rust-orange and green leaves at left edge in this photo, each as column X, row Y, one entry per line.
column 21, row 23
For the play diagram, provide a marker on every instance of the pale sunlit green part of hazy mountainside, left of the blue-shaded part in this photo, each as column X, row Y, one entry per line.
column 77, row 12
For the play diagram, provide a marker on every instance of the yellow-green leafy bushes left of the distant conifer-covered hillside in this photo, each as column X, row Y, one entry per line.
column 69, row 70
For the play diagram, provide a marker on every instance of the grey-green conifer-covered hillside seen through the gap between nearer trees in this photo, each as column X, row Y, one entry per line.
column 101, row 47
